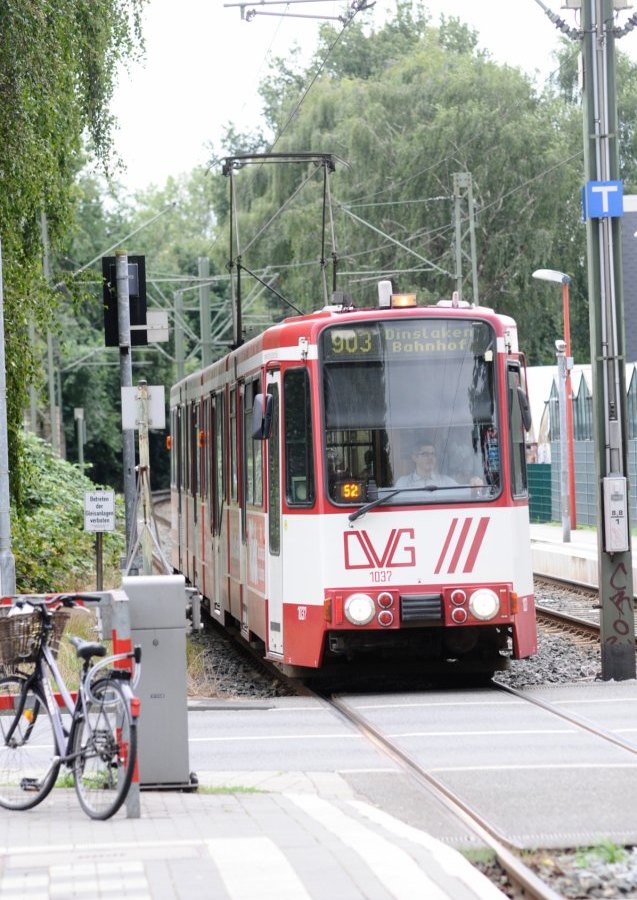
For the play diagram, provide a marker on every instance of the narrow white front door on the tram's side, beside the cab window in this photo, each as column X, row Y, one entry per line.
column 275, row 565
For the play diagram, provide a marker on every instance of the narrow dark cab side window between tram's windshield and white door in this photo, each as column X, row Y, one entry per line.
column 299, row 455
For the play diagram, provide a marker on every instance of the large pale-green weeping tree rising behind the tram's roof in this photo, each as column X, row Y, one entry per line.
column 406, row 107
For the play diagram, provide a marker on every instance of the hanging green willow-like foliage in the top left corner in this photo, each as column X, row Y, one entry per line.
column 57, row 65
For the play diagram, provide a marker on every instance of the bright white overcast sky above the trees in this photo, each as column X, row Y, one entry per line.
column 203, row 65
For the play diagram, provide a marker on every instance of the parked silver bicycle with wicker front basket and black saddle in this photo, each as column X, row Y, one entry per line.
column 99, row 746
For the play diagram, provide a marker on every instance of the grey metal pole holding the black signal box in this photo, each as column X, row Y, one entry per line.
column 126, row 380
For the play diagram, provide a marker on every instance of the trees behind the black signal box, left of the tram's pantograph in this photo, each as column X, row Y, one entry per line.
column 175, row 227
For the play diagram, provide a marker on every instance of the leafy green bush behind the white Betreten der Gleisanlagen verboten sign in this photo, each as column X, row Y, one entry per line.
column 52, row 551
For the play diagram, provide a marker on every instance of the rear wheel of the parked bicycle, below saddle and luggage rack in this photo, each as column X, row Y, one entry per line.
column 105, row 742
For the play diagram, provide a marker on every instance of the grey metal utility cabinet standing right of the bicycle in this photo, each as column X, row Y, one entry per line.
column 158, row 624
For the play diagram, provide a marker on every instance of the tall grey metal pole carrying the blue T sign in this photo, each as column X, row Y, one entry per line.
column 608, row 367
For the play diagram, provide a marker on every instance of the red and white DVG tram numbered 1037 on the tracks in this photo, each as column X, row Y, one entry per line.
column 301, row 509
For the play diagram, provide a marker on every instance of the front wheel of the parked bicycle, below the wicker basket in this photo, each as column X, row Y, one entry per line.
column 29, row 763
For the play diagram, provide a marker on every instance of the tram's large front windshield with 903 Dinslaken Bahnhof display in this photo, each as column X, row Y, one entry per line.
column 410, row 412
